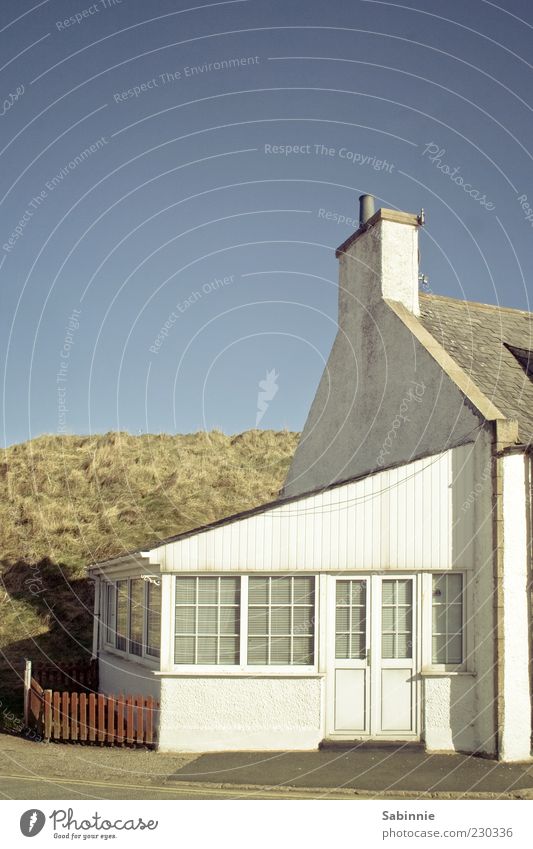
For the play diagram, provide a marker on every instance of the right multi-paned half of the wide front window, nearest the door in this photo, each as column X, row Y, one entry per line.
column 280, row 621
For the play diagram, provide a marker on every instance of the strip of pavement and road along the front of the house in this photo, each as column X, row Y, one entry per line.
column 30, row 770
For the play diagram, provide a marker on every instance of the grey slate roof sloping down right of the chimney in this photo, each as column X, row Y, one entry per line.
column 476, row 336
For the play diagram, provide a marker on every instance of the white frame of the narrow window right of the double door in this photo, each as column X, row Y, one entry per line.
column 427, row 618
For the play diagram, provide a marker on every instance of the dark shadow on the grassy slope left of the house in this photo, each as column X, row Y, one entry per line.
column 46, row 613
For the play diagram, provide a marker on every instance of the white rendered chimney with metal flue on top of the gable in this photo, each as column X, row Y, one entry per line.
column 379, row 261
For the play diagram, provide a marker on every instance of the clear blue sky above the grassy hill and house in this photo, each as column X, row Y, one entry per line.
column 162, row 241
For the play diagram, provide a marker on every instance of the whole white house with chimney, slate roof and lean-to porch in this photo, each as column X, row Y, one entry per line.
column 386, row 594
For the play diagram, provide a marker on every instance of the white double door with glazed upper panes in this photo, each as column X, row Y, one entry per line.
column 373, row 656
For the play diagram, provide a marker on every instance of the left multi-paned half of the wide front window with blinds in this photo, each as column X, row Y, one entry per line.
column 207, row 620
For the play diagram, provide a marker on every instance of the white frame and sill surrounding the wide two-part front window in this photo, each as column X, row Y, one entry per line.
column 242, row 668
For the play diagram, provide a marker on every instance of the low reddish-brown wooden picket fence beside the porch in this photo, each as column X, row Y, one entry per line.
column 93, row 717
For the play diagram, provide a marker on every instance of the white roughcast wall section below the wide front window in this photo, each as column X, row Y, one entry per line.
column 210, row 713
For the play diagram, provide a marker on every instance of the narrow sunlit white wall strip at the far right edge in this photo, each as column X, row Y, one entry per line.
column 516, row 726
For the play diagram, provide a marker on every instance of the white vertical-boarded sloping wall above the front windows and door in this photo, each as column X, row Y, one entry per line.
column 410, row 517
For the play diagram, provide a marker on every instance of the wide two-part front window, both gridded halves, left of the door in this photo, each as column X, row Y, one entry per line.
column 246, row 621
